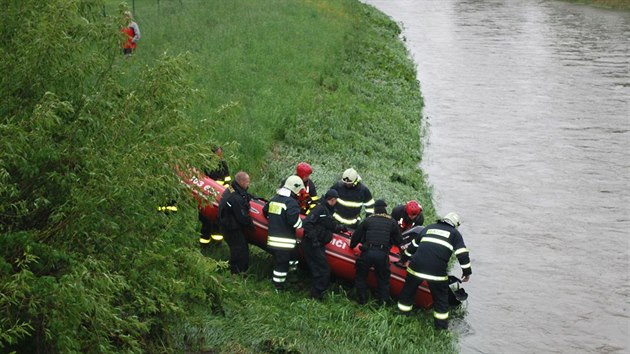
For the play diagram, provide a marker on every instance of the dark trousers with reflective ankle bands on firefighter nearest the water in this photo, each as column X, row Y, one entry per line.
column 439, row 294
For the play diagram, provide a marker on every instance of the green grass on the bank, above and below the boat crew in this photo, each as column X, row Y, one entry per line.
column 279, row 82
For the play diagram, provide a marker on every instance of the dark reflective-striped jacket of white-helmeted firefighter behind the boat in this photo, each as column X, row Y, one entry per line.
column 350, row 202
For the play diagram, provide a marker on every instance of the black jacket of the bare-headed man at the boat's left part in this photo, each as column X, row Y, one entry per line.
column 234, row 208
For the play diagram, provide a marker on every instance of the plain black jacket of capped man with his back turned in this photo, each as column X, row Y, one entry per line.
column 377, row 231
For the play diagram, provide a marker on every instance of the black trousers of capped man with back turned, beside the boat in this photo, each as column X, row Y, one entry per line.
column 379, row 259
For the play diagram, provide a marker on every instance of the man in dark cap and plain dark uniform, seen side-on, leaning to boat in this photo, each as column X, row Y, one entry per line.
column 319, row 226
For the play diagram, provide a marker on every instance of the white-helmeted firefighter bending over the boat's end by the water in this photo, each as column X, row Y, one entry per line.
column 430, row 252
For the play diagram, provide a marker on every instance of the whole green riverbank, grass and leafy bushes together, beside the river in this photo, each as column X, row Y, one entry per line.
column 87, row 264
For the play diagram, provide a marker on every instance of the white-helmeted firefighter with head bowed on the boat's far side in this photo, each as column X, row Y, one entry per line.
column 353, row 196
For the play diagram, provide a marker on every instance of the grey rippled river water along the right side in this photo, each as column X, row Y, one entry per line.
column 528, row 139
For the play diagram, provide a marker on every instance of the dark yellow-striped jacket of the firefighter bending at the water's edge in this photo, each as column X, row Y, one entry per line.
column 431, row 250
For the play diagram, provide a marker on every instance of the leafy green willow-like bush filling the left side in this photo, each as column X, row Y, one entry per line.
column 85, row 158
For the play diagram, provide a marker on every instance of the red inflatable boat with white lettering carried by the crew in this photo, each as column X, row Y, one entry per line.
column 339, row 254
